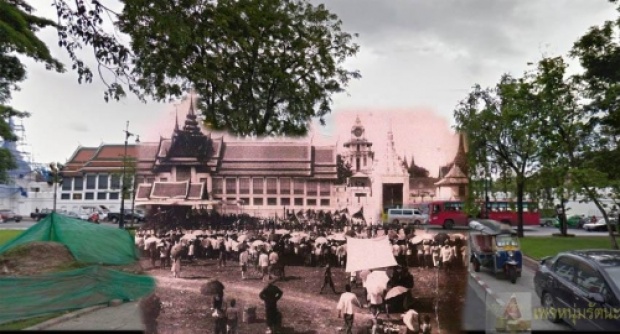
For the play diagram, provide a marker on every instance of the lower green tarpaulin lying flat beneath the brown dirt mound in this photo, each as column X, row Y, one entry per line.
column 26, row 297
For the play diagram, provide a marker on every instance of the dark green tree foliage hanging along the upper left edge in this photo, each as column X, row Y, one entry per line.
column 17, row 37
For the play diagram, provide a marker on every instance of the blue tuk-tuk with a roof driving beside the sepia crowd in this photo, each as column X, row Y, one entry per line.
column 495, row 246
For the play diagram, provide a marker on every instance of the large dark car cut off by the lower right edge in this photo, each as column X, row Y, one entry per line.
column 581, row 282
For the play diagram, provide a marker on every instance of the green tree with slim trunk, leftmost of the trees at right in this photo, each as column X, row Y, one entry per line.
column 502, row 132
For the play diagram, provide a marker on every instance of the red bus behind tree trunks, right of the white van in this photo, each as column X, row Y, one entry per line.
column 450, row 213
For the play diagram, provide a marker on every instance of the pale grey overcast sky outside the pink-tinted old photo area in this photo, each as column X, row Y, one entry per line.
column 415, row 55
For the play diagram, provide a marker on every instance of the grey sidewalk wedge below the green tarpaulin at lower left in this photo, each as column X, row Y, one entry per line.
column 123, row 317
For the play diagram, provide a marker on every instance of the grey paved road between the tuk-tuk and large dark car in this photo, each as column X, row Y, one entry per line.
column 524, row 292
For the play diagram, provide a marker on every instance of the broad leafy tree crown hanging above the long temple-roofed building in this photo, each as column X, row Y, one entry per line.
column 260, row 67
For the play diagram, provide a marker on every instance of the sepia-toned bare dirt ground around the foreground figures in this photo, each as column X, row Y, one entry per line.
column 437, row 293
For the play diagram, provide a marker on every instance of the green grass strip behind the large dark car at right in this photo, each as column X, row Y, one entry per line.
column 539, row 247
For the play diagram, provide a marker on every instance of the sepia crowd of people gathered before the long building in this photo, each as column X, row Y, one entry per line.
column 266, row 247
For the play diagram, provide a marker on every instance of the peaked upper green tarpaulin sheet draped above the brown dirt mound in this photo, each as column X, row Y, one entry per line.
column 88, row 242
